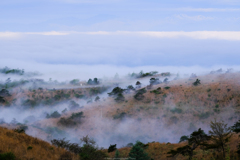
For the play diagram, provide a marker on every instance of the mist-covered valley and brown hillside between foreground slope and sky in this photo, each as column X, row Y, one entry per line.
column 145, row 106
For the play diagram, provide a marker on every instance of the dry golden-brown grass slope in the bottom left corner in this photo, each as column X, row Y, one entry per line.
column 18, row 144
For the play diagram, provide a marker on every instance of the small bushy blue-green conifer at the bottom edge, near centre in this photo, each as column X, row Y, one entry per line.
column 138, row 152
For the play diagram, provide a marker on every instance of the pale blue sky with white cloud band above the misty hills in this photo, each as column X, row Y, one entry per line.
column 127, row 33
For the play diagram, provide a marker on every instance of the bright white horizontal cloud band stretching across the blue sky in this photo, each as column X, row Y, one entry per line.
column 219, row 35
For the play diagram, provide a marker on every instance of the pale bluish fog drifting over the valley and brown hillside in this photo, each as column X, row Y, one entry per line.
column 145, row 122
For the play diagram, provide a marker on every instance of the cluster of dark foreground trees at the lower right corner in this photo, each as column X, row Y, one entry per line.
column 216, row 140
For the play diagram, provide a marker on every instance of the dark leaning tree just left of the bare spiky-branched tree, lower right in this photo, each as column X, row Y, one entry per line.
column 197, row 138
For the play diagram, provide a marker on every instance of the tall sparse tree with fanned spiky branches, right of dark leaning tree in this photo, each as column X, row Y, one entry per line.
column 220, row 135
